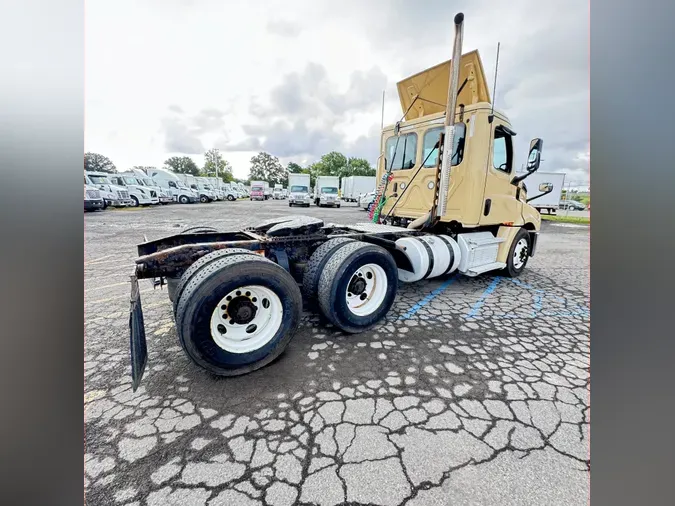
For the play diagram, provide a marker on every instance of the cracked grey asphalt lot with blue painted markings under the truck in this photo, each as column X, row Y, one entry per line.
column 474, row 391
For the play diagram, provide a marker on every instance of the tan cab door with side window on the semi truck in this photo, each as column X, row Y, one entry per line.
column 499, row 203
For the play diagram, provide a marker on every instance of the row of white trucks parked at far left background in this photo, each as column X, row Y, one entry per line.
column 150, row 187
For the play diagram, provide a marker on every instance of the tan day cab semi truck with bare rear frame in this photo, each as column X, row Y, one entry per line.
column 448, row 200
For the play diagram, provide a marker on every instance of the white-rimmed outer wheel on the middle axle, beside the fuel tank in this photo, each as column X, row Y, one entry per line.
column 338, row 274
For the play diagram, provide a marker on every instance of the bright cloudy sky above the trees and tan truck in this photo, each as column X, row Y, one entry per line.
column 300, row 78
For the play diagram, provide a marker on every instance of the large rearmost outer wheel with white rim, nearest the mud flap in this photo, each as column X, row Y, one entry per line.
column 199, row 312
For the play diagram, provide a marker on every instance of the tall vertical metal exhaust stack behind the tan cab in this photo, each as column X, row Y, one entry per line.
column 451, row 106
